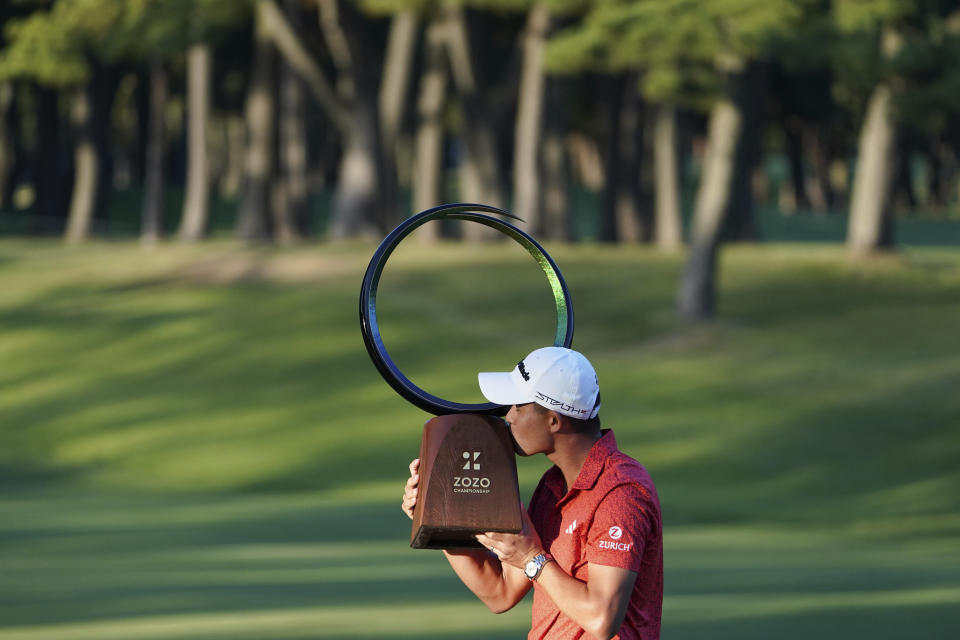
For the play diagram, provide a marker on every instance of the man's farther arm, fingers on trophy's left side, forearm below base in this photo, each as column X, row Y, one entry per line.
column 497, row 585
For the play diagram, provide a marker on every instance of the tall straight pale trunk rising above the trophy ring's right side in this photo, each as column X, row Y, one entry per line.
column 526, row 162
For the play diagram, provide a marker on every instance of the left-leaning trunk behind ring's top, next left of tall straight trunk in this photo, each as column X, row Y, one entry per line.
column 480, row 179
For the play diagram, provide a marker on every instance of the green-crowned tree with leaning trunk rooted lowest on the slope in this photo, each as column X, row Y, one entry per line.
column 707, row 54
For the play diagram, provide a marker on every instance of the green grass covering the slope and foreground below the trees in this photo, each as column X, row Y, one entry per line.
column 193, row 442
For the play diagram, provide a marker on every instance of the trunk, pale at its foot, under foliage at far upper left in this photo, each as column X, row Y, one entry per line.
column 86, row 169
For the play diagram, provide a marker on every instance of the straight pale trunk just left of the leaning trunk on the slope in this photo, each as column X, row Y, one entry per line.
column 668, row 225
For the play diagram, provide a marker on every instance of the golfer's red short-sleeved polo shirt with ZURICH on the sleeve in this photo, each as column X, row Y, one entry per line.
column 610, row 517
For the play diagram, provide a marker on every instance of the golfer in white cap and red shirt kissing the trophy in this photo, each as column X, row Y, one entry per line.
column 591, row 545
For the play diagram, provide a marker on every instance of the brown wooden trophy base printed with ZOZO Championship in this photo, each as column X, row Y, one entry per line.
column 468, row 482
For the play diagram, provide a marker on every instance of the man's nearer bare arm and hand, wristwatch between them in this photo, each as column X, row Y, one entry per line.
column 599, row 605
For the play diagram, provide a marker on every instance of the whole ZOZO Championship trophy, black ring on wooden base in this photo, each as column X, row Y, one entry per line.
column 468, row 473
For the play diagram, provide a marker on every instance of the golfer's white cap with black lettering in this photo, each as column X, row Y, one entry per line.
column 557, row 378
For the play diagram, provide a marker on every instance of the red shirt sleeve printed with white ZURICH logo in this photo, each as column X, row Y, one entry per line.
column 620, row 527
